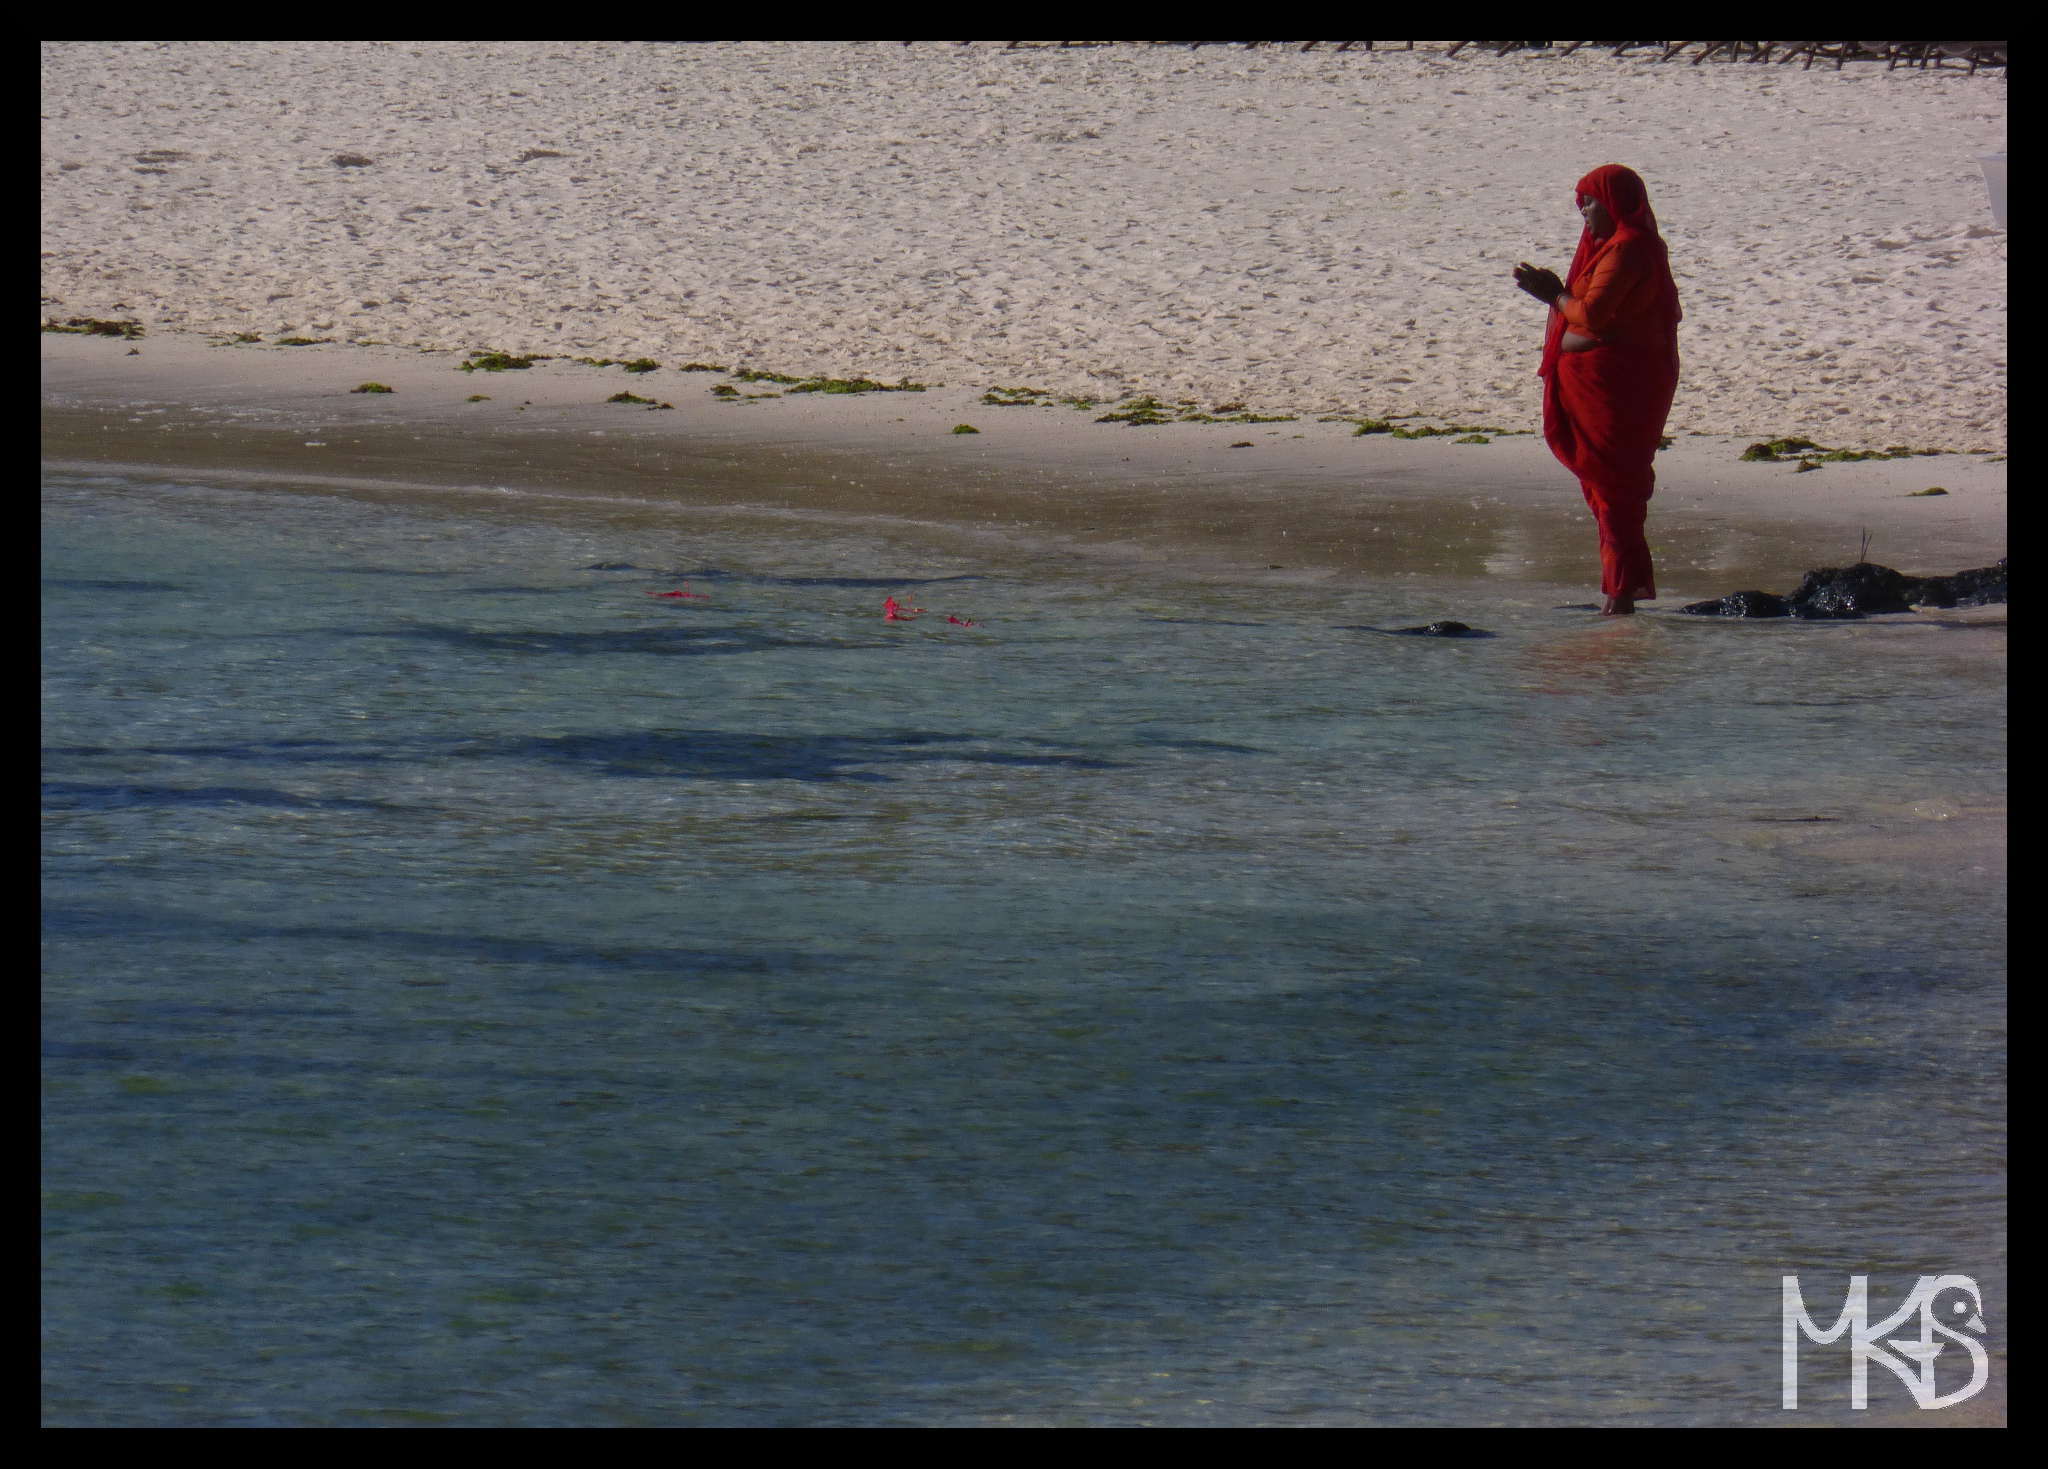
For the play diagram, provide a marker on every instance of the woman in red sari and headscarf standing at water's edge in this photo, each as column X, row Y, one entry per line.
column 1611, row 370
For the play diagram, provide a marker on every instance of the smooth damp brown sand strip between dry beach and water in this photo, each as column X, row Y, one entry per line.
column 1289, row 499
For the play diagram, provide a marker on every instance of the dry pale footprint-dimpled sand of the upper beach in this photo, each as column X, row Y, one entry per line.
column 1299, row 233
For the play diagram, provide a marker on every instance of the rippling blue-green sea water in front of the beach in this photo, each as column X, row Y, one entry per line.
column 484, row 995
